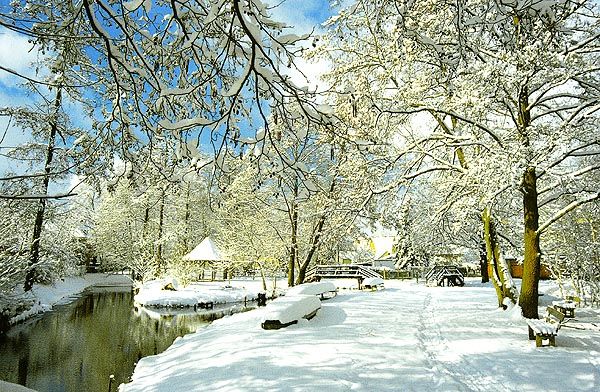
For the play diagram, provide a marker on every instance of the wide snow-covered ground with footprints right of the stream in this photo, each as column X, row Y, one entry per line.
column 407, row 337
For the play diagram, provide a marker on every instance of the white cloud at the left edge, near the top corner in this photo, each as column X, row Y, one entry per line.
column 16, row 53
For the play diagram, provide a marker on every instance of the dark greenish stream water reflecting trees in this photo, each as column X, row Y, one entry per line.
column 78, row 346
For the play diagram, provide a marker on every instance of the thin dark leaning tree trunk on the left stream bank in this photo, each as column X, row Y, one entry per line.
column 34, row 254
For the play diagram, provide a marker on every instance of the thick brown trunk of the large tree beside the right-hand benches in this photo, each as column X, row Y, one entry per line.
column 531, row 260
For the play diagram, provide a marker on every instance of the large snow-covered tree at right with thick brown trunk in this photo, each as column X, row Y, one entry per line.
column 502, row 94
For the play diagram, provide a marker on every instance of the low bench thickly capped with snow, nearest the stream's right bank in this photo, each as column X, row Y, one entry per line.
column 285, row 311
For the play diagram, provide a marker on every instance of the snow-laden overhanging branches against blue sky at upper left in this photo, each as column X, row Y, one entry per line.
column 193, row 71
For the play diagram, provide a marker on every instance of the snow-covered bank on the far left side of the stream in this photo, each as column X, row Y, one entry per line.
column 44, row 297
